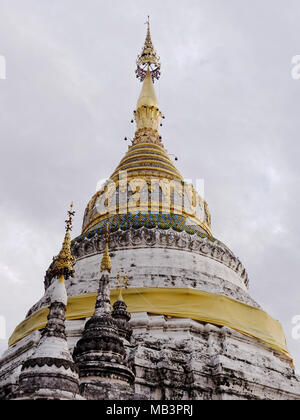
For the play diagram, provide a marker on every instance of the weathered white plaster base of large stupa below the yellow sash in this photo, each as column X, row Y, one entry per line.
column 185, row 359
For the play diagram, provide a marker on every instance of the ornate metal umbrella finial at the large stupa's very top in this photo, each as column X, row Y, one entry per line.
column 148, row 60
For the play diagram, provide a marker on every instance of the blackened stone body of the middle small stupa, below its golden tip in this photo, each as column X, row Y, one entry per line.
column 100, row 354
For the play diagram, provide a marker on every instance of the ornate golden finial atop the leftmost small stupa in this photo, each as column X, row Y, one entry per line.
column 62, row 265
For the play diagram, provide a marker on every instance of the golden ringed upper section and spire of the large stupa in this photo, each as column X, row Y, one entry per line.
column 147, row 165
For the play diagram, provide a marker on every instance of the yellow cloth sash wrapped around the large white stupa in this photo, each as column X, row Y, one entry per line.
column 182, row 303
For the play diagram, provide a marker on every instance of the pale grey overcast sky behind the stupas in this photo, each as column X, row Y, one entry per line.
column 232, row 118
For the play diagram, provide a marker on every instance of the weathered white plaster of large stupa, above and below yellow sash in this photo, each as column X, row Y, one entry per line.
column 173, row 358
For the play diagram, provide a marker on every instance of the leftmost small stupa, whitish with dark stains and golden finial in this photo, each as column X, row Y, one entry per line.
column 50, row 373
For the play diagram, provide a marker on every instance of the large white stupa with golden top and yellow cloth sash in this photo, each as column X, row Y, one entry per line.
column 195, row 332
